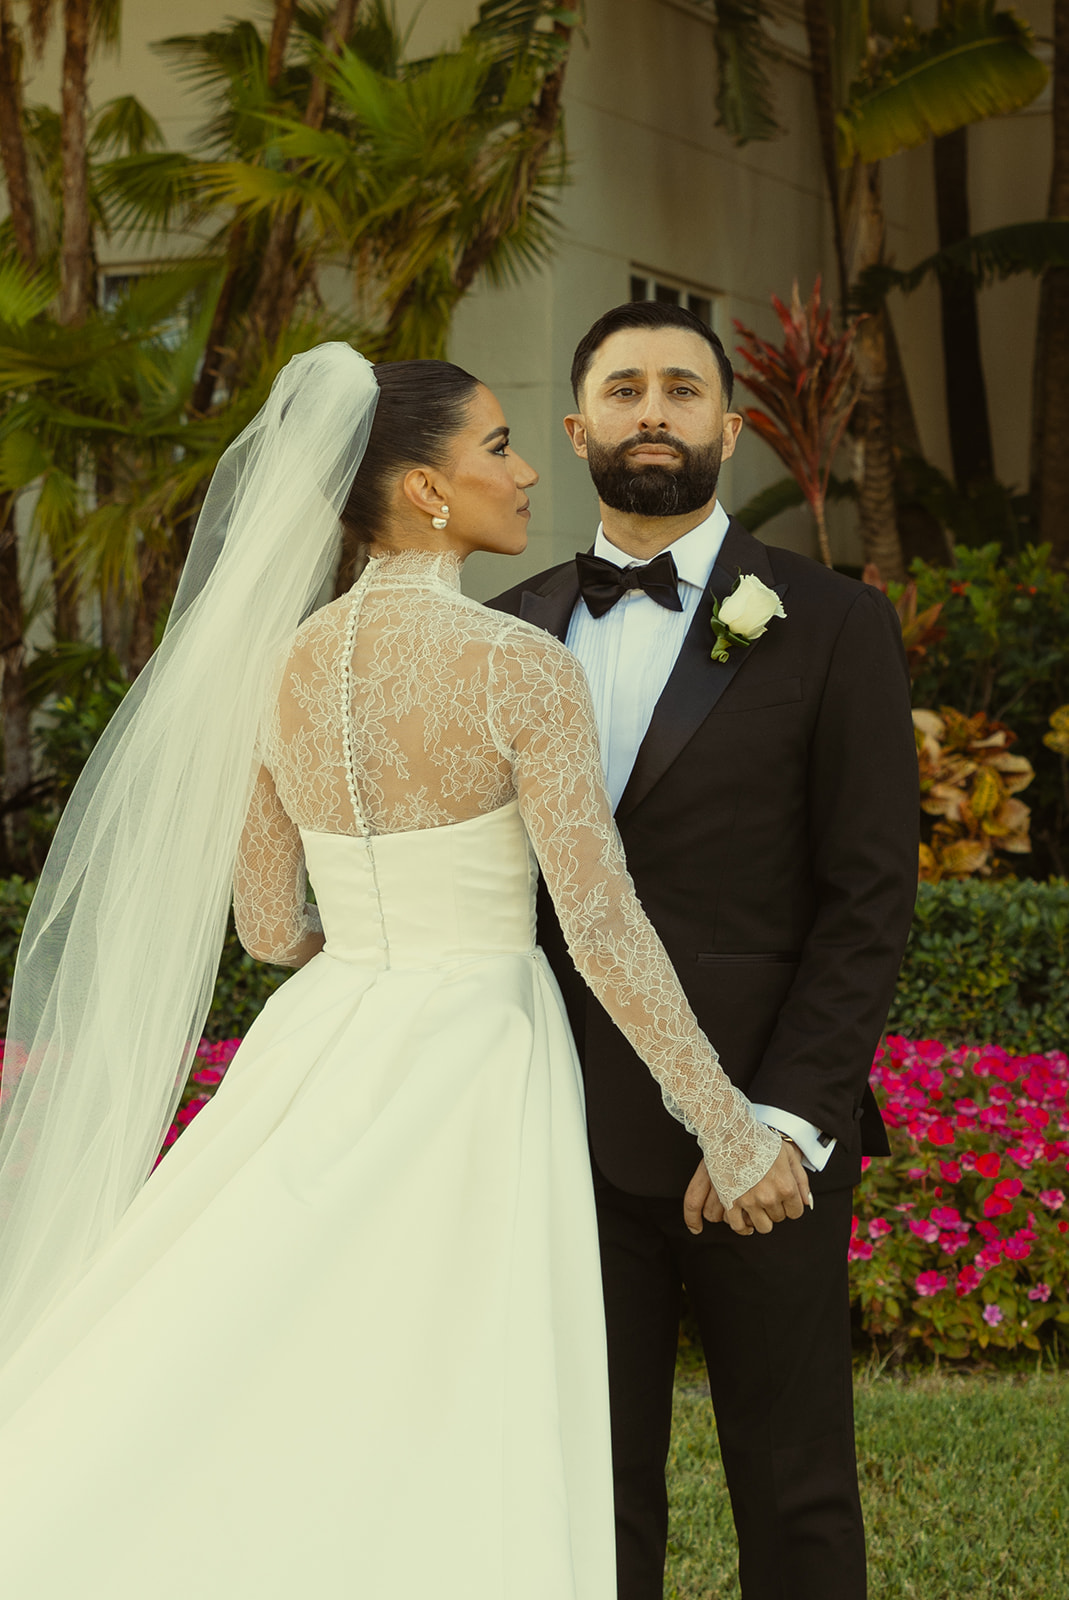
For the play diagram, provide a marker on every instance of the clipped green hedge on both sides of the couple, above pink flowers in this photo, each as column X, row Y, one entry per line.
column 987, row 964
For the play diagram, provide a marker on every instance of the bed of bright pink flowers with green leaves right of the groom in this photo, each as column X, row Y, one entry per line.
column 958, row 1241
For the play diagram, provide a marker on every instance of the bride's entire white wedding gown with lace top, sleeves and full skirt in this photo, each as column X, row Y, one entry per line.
column 348, row 1343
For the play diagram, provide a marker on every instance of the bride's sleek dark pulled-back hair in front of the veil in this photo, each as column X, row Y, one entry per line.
column 422, row 407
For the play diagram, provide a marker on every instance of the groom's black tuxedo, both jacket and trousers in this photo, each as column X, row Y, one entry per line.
column 771, row 826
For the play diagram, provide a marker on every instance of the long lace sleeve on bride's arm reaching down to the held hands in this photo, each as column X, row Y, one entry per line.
column 542, row 713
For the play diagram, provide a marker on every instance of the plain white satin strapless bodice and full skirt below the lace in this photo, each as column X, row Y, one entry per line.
column 348, row 1345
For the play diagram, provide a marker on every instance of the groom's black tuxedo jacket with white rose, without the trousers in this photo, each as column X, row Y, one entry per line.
column 771, row 826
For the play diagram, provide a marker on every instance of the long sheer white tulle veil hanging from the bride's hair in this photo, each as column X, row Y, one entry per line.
column 122, row 943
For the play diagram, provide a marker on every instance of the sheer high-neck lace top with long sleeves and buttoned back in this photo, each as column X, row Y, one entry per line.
column 407, row 706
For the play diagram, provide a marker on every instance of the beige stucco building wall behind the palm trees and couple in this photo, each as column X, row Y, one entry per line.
column 659, row 185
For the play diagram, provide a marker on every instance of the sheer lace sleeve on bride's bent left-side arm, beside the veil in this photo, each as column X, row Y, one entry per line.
column 270, row 882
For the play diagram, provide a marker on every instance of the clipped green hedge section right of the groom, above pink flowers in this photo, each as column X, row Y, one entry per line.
column 988, row 964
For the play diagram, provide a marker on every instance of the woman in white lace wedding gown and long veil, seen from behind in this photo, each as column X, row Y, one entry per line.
column 346, row 1342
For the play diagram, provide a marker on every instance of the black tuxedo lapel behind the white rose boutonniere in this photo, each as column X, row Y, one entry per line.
column 697, row 682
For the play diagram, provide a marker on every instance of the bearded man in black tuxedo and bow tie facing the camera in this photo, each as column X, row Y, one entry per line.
column 769, row 809
